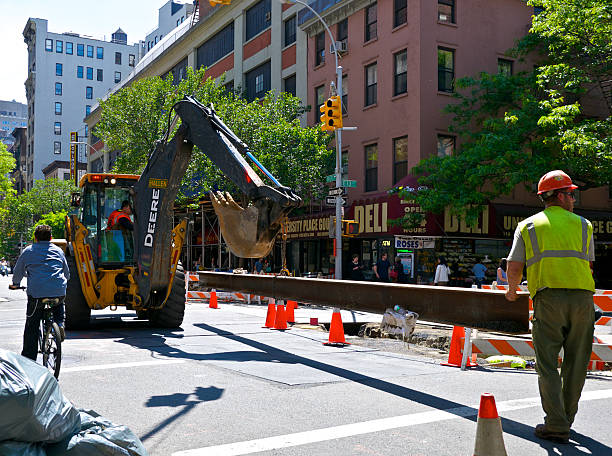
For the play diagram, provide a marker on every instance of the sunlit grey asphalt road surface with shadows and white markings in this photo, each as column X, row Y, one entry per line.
column 223, row 385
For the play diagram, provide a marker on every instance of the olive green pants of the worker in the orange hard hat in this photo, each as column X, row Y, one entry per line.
column 563, row 318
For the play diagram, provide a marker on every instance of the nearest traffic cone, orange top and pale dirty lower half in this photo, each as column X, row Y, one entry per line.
column 489, row 434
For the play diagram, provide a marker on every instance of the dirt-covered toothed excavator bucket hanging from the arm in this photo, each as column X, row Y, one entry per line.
column 249, row 232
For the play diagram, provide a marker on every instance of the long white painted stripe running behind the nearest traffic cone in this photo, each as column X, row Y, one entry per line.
column 367, row 427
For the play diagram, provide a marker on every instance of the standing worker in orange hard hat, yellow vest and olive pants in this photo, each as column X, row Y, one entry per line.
column 557, row 247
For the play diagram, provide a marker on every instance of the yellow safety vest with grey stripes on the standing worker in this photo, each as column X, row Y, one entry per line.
column 557, row 250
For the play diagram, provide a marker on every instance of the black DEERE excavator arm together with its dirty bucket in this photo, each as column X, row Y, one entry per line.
column 249, row 232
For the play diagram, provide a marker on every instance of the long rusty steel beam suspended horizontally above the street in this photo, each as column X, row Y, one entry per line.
column 481, row 309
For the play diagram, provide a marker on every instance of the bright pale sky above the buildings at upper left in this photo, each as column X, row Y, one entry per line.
column 96, row 18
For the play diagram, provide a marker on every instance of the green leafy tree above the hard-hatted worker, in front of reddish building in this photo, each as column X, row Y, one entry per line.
column 514, row 128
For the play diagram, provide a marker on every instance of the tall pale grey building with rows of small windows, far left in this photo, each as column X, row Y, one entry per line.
column 67, row 73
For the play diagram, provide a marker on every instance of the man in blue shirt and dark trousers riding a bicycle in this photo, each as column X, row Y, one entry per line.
column 44, row 264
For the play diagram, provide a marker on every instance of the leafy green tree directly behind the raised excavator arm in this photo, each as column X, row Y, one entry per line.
column 135, row 117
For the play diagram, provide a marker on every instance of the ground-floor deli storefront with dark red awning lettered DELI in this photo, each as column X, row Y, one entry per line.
column 310, row 247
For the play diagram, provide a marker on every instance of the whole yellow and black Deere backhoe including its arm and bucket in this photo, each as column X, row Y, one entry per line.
column 140, row 268
